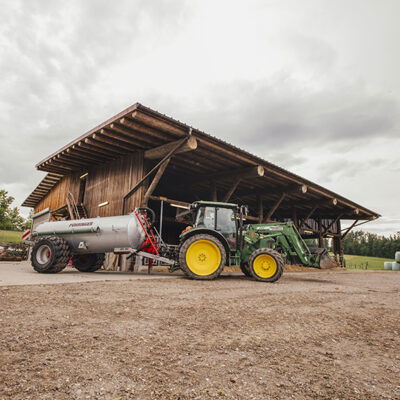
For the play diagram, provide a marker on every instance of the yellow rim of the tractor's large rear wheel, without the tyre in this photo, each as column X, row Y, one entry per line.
column 203, row 257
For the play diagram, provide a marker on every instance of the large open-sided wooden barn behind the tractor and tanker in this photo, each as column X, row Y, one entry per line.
column 141, row 157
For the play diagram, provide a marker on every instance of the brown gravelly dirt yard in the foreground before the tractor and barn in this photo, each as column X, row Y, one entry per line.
column 331, row 335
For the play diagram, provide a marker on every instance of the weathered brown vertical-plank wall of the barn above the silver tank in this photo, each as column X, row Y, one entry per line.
column 108, row 182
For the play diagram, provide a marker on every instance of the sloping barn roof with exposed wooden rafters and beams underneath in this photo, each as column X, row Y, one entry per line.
column 141, row 128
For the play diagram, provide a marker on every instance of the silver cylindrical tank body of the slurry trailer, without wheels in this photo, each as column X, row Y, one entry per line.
column 95, row 235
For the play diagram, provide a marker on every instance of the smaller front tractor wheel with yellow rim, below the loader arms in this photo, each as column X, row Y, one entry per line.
column 266, row 265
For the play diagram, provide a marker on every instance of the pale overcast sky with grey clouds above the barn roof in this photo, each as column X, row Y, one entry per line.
column 312, row 86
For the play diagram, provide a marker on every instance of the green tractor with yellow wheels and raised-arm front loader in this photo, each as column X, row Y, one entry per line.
column 218, row 238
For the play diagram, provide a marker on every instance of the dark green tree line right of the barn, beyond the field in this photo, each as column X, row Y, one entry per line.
column 370, row 244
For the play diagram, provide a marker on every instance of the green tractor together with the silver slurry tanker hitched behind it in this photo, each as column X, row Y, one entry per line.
column 217, row 237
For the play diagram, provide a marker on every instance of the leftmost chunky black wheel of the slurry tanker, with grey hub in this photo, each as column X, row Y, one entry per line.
column 50, row 255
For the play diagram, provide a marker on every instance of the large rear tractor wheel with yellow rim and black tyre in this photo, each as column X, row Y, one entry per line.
column 202, row 257
